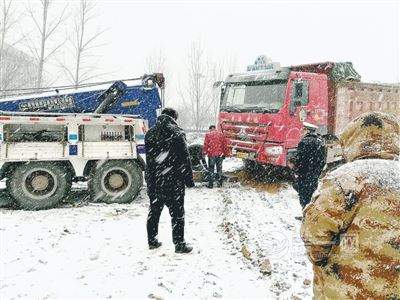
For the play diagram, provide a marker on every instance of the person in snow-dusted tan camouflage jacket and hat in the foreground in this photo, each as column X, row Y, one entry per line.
column 351, row 228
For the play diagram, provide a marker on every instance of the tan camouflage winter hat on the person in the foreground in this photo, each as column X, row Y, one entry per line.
column 374, row 135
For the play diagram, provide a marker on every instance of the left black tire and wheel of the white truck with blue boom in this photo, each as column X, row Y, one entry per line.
column 39, row 185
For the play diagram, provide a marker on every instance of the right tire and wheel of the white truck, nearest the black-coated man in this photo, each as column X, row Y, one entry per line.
column 115, row 181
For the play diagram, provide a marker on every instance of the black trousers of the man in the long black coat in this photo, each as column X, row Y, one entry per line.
column 174, row 200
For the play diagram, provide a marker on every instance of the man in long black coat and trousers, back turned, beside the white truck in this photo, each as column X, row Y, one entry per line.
column 168, row 170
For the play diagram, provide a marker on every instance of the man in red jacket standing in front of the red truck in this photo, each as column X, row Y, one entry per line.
column 215, row 148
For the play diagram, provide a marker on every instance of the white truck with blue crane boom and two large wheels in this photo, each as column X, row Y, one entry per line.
column 95, row 133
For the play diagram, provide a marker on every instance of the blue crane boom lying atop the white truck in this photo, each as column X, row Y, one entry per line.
column 139, row 96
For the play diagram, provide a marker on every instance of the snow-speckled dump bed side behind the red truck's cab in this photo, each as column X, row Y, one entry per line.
column 349, row 99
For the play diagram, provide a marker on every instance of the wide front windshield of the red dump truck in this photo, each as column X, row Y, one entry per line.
column 254, row 96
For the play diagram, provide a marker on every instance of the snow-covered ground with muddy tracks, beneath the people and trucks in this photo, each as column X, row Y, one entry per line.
column 246, row 245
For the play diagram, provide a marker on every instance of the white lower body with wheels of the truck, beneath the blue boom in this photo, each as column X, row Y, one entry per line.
column 78, row 143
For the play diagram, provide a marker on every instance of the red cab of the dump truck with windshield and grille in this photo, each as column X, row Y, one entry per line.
column 261, row 112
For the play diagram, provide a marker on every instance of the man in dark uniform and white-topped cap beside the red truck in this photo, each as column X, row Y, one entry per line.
column 308, row 163
